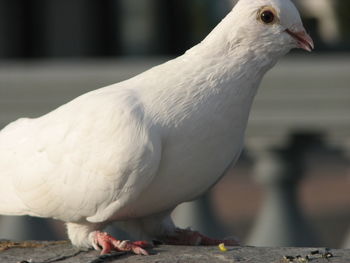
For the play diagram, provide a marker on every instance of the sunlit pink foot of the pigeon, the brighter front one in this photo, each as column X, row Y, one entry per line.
column 104, row 241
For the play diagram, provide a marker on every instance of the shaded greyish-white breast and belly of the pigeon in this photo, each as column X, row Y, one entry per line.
column 192, row 161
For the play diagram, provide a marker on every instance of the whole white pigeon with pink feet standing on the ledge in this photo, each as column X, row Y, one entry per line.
column 131, row 152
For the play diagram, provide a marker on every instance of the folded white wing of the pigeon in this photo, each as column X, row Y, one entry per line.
column 86, row 159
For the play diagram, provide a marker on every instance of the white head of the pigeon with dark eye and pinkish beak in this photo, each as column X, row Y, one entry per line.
column 268, row 25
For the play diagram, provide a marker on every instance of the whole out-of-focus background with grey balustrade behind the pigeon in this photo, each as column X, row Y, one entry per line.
column 291, row 186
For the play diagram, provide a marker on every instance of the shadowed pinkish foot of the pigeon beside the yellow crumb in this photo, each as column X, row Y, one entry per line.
column 189, row 237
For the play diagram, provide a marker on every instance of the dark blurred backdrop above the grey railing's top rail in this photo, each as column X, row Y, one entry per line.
column 85, row 28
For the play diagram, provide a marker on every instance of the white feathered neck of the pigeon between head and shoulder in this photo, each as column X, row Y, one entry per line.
column 215, row 77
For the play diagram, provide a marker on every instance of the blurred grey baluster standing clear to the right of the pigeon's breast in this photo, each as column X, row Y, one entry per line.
column 281, row 222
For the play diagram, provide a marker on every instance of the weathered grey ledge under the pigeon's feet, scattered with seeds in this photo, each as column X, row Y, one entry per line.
column 63, row 252
